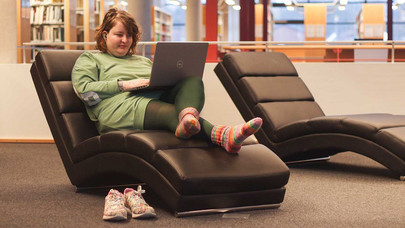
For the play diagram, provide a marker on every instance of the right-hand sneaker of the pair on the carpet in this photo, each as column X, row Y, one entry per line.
column 135, row 201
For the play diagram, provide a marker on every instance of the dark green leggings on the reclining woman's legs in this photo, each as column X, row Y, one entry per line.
column 163, row 114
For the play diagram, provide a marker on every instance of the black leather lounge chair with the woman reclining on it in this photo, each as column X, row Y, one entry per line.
column 190, row 176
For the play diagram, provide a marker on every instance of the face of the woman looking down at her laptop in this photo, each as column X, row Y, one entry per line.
column 118, row 40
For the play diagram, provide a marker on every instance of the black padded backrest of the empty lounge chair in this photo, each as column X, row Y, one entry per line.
column 268, row 86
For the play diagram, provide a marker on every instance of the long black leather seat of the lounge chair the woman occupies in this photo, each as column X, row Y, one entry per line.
column 194, row 167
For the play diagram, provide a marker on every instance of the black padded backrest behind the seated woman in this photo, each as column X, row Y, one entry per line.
column 64, row 111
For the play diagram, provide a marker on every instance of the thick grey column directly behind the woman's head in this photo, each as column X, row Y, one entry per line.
column 141, row 10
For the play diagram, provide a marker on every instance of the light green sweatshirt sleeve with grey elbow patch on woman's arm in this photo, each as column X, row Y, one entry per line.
column 85, row 79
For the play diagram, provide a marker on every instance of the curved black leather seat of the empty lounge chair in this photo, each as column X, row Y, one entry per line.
column 385, row 129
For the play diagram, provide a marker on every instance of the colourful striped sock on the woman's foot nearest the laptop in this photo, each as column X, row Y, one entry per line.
column 188, row 123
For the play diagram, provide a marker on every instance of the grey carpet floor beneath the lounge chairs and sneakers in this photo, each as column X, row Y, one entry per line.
column 350, row 190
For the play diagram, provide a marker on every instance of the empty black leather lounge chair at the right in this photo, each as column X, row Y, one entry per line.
column 266, row 84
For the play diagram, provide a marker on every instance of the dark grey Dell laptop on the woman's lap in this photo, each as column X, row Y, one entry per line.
column 174, row 61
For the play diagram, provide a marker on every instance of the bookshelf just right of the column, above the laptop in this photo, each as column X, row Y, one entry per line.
column 162, row 25
